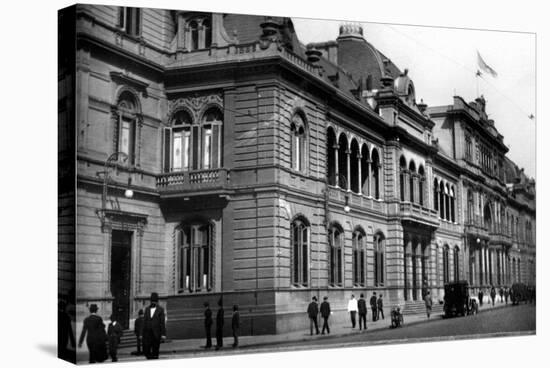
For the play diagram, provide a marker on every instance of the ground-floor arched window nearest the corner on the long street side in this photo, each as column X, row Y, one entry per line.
column 299, row 233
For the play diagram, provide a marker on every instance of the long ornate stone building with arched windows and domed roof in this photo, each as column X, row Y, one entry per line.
column 218, row 157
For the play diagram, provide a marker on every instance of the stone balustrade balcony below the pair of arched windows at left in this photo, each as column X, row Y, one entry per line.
column 197, row 182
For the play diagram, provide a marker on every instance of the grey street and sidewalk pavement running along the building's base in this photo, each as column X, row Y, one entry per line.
column 500, row 320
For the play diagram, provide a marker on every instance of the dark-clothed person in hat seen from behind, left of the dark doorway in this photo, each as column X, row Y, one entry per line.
column 94, row 331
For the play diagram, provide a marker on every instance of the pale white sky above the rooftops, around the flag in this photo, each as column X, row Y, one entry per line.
column 443, row 61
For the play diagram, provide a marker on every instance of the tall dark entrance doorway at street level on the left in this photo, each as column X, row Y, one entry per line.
column 121, row 255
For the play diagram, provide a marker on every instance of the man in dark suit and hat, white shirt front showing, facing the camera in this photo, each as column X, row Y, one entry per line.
column 154, row 328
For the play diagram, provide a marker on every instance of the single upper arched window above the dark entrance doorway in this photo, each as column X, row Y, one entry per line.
column 126, row 129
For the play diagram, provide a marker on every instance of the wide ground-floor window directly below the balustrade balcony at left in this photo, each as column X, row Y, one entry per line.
column 194, row 257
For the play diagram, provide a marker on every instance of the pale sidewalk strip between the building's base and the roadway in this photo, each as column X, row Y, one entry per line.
column 195, row 347
